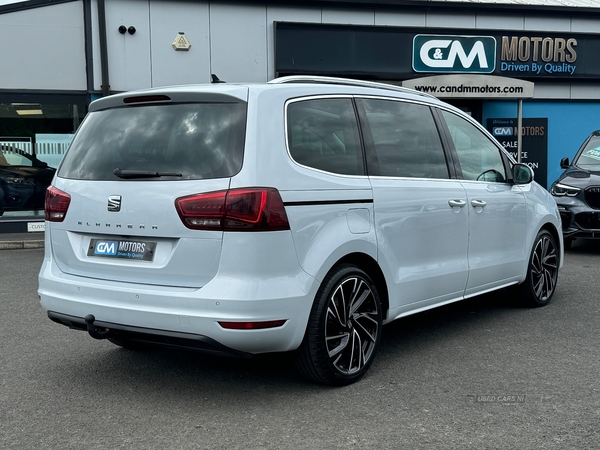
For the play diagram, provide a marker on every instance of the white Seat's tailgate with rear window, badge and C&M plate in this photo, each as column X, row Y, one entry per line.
column 124, row 171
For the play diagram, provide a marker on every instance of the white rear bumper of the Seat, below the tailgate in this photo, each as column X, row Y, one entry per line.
column 186, row 317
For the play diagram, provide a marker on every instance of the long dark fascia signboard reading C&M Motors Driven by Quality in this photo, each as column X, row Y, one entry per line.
column 398, row 53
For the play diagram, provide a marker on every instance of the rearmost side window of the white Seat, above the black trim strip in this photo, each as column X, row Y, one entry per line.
column 323, row 134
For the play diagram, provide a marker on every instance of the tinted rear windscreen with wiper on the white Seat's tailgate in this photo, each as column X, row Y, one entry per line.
column 185, row 141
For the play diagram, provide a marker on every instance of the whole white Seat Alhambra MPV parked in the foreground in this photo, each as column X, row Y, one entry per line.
column 298, row 215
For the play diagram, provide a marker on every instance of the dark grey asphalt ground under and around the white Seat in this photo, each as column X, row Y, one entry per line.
column 484, row 373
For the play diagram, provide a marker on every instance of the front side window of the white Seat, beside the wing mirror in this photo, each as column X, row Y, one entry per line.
column 478, row 157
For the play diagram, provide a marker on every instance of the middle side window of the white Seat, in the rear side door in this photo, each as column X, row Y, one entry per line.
column 406, row 140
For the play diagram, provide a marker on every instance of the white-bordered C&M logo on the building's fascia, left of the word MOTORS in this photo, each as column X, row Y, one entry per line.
column 454, row 54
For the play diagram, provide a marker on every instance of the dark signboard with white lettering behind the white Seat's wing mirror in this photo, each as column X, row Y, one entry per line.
column 534, row 145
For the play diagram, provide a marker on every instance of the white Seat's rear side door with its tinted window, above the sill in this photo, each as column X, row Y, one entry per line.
column 420, row 216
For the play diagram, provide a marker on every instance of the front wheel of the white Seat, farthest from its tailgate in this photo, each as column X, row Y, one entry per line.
column 542, row 271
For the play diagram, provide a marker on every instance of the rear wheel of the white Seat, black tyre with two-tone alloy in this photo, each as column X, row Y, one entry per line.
column 344, row 328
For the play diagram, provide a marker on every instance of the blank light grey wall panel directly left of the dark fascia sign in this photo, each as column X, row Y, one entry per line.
column 238, row 42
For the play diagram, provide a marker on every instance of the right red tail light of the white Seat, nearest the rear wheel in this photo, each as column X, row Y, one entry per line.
column 250, row 209
